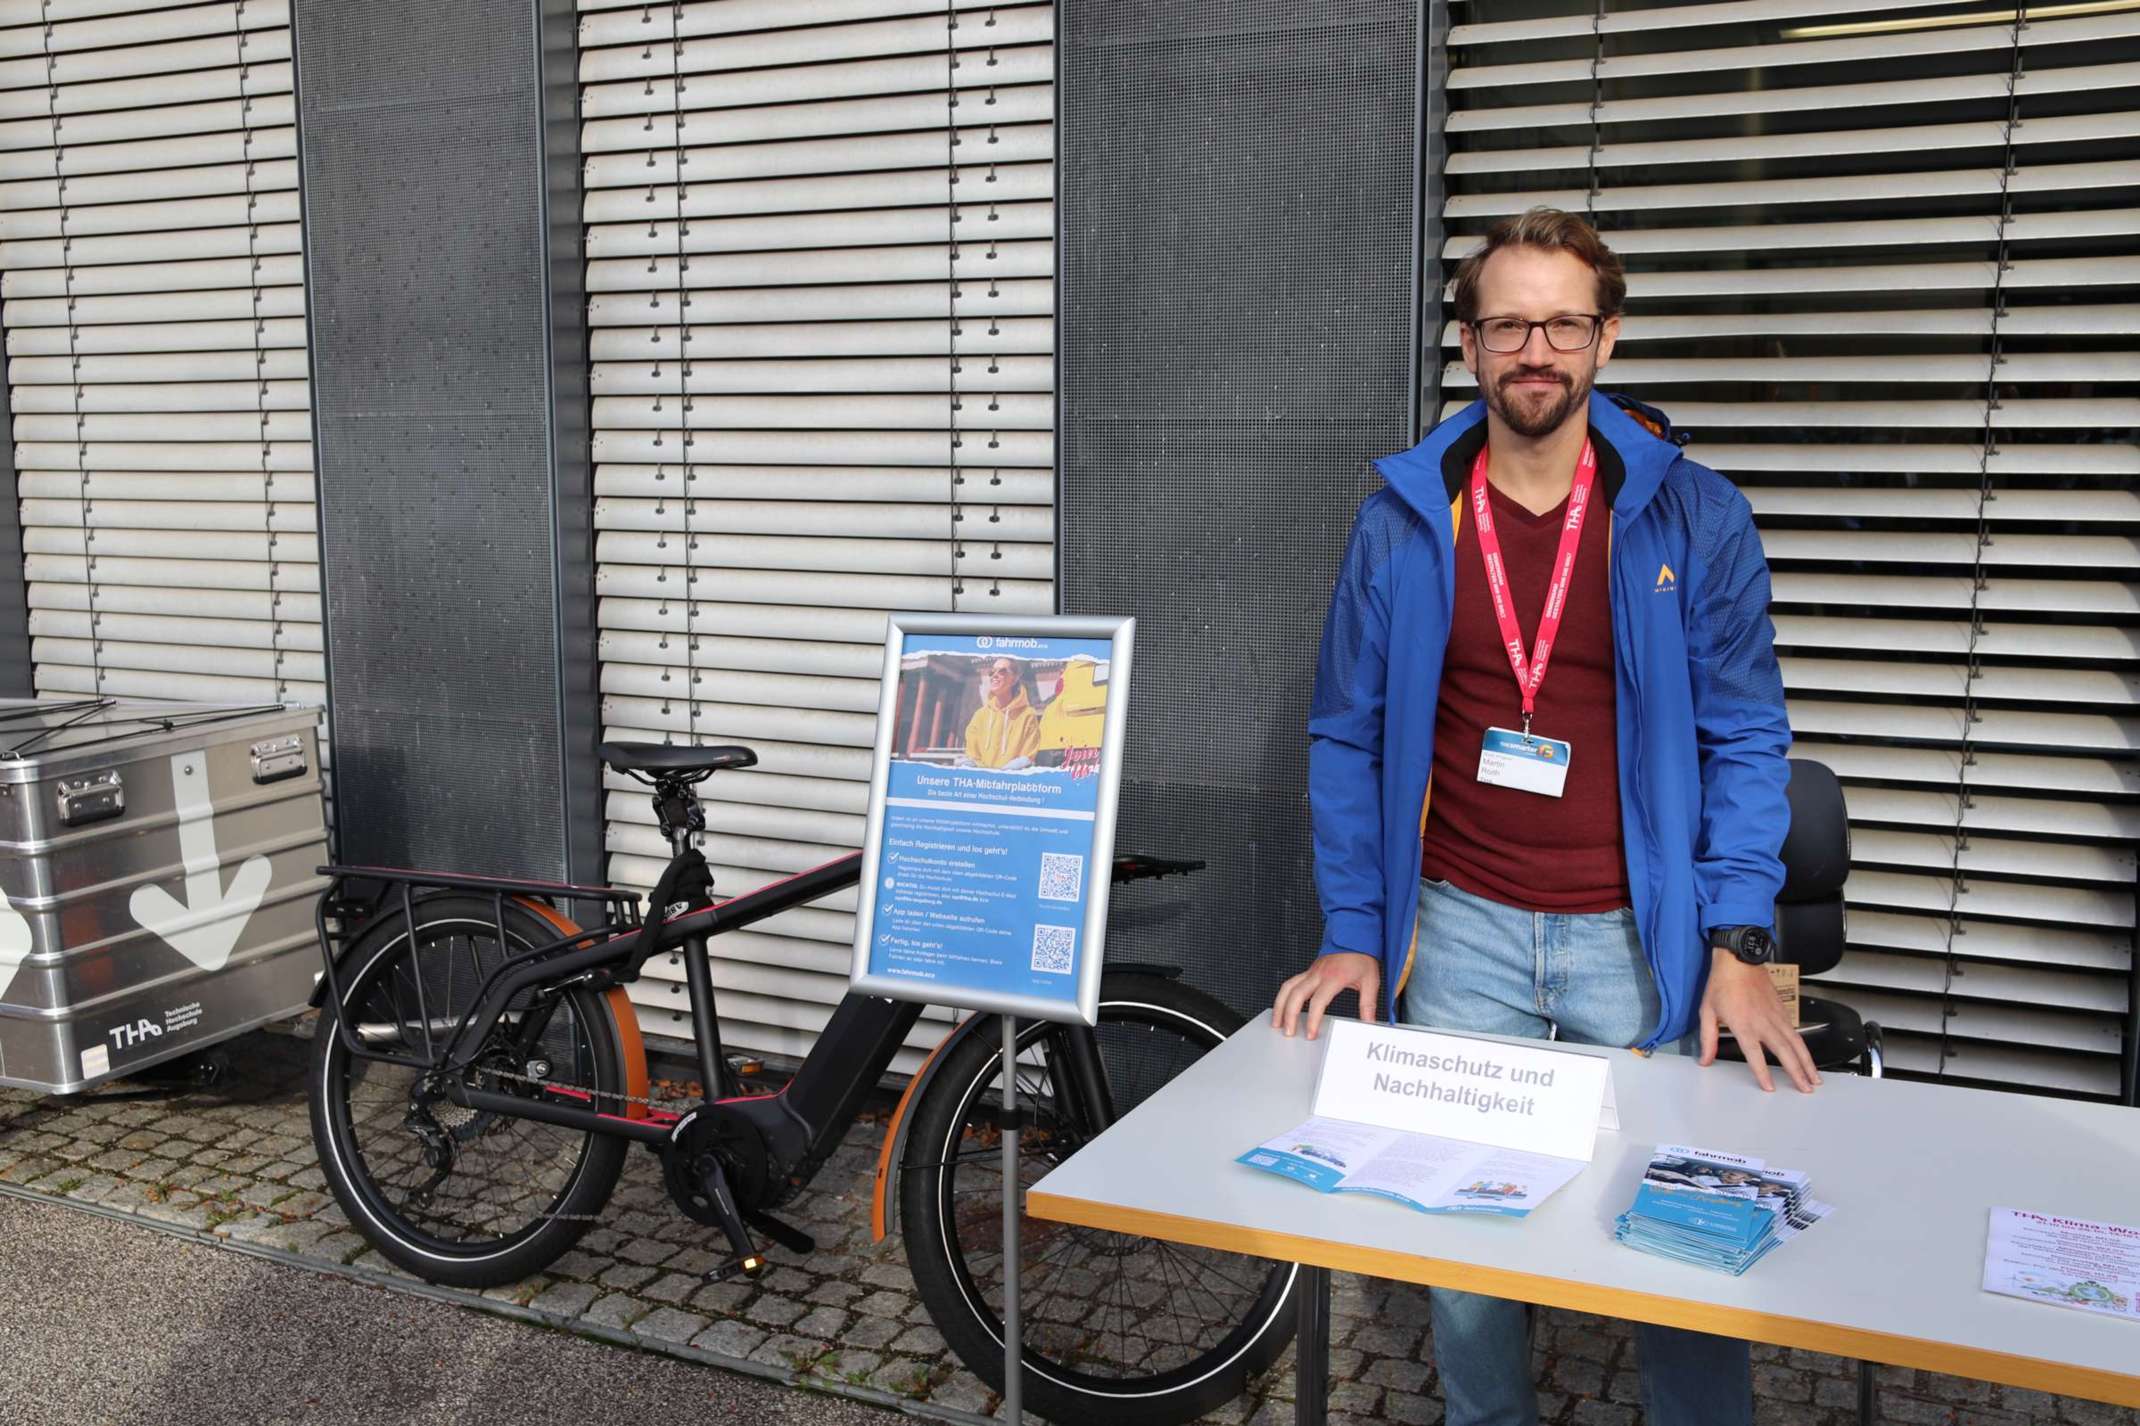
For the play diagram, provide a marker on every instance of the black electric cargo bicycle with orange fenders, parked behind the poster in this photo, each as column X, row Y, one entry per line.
column 478, row 1080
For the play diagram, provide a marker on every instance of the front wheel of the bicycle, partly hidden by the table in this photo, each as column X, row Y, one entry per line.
column 1082, row 1365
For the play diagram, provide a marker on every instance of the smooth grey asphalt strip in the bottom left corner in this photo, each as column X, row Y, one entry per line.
column 232, row 1339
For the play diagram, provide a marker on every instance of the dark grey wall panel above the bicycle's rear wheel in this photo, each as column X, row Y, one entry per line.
column 444, row 466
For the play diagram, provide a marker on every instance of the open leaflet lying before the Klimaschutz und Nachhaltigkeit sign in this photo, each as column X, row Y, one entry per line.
column 1437, row 1177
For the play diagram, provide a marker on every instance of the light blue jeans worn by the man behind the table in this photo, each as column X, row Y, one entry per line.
column 1501, row 971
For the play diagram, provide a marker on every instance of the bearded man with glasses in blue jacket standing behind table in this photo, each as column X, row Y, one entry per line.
column 1589, row 855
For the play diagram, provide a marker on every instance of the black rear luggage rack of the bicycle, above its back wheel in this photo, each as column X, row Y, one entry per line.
column 358, row 898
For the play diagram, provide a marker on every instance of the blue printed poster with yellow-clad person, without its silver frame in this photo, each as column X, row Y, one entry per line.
column 990, row 808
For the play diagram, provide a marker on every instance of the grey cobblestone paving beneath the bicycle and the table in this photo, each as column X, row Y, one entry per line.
column 236, row 1166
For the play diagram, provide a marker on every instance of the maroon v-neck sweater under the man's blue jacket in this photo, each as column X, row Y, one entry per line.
column 1520, row 849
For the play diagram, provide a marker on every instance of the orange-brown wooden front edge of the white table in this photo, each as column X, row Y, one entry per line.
column 1891, row 1348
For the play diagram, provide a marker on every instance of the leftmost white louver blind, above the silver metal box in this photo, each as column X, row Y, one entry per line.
column 157, row 350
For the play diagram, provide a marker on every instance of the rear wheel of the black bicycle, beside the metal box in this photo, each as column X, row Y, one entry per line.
column 489, row 1228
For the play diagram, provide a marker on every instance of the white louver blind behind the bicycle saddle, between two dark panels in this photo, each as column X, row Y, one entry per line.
column 821, row 303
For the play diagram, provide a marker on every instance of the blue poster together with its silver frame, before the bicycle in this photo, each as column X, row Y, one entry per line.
column 1000, row 759
